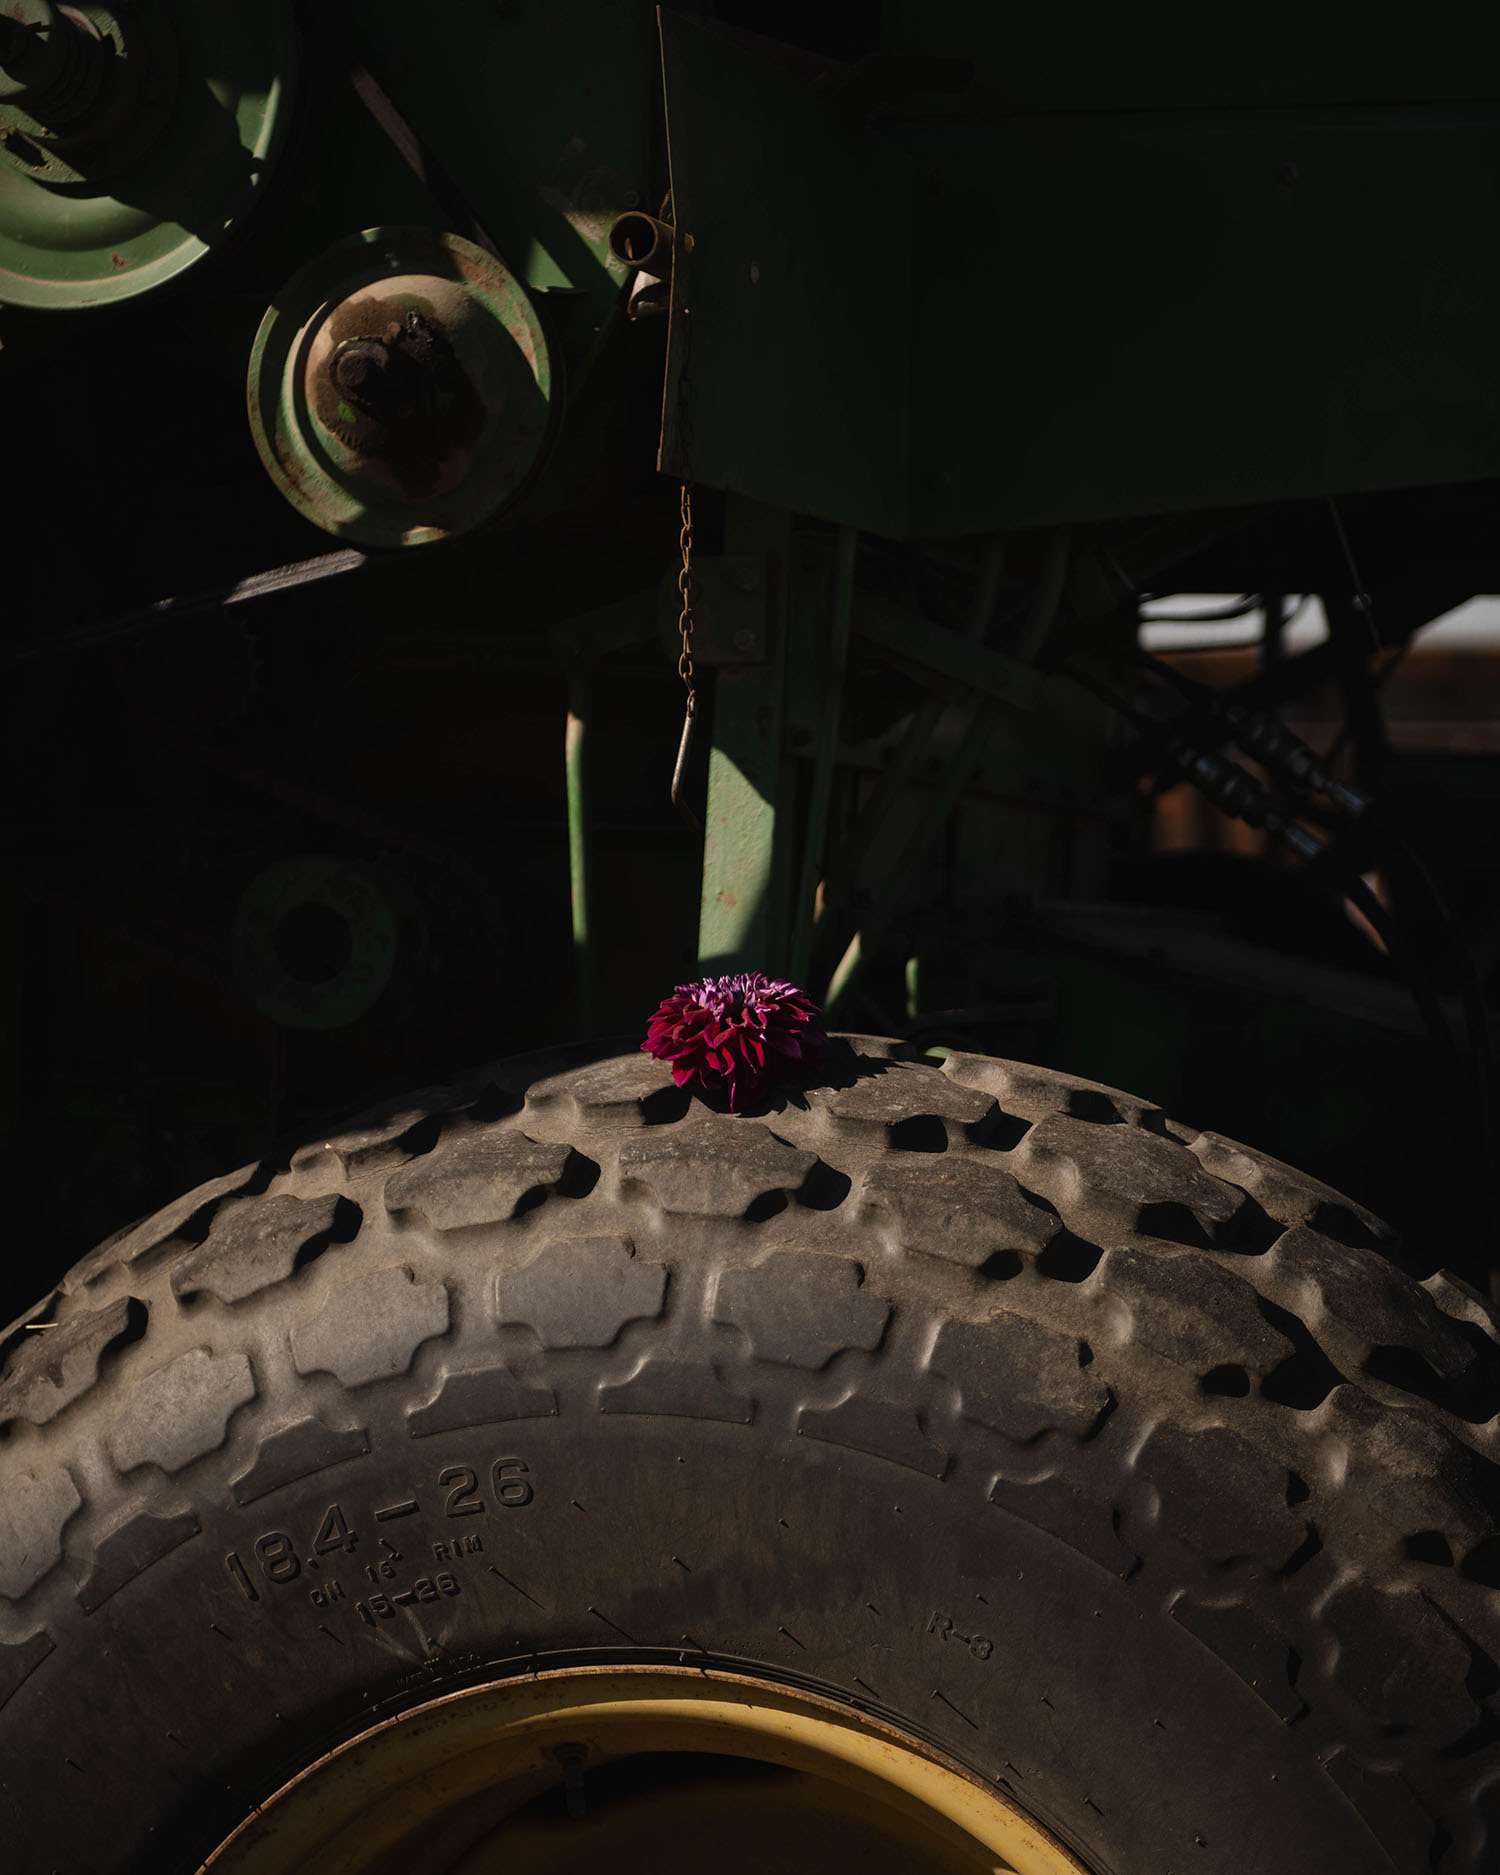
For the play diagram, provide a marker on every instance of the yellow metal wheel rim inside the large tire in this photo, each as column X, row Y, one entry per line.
column 659, row 1769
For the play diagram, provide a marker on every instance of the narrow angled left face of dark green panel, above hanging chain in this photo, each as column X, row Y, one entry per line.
column 796, row 284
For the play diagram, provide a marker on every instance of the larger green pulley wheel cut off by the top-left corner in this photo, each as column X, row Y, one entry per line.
column 134, row 140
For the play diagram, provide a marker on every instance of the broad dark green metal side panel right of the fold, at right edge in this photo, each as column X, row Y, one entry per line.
column 1115, row 355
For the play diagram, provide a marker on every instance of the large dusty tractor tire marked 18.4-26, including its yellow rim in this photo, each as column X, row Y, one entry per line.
column 948, row 1469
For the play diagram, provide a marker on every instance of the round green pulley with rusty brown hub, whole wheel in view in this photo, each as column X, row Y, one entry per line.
column 400, row 389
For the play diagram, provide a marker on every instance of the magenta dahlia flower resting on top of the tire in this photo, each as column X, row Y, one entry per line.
column 742, row 1034
